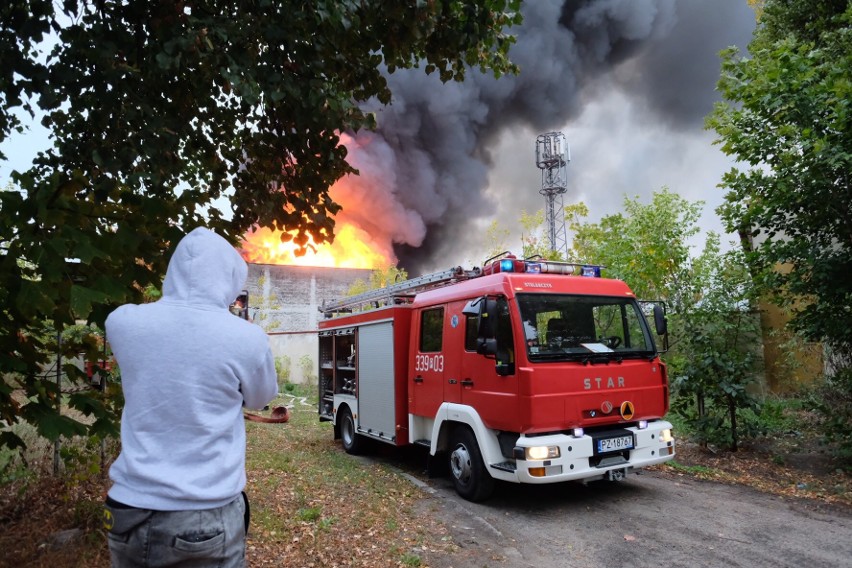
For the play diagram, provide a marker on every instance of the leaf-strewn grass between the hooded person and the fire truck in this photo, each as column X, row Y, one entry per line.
column 320, row 503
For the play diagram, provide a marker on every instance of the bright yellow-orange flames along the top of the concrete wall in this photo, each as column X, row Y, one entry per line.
column 352, row 248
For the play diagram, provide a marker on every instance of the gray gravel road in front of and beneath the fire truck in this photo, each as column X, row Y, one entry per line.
column 654, row 519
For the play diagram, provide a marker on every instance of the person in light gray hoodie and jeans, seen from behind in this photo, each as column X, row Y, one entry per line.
column 188, row 367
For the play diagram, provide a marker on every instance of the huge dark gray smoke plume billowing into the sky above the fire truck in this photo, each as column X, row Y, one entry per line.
column 611, row 74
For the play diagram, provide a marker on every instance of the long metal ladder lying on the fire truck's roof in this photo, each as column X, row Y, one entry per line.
column 401, row 292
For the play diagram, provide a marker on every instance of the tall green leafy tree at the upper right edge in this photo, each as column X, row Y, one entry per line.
column 787, row 120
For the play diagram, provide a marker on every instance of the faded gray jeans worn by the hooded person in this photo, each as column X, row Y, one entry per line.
column 159, row 539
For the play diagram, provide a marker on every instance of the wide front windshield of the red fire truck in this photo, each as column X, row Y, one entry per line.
column 561, row 326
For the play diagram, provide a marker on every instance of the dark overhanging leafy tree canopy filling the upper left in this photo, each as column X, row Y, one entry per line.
column 157, row 109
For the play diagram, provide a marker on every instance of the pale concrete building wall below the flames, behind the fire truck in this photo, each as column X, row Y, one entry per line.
column 285, row 301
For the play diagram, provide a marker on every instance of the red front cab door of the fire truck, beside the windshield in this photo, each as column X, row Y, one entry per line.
column 494, row 396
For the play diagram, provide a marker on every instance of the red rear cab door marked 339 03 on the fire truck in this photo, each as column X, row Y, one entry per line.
column 427, row 367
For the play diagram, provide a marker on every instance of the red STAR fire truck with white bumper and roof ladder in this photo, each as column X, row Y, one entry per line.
column 525, row 371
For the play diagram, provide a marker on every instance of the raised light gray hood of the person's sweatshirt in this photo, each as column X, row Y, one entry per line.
column 205, row 270
